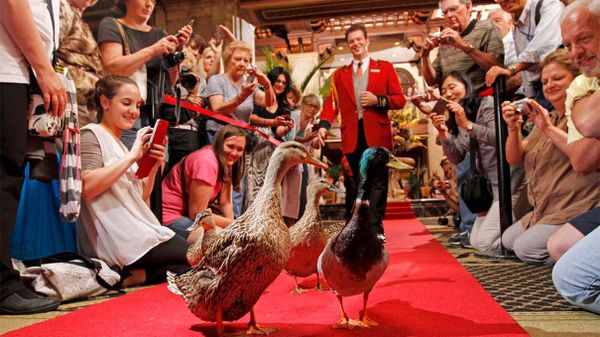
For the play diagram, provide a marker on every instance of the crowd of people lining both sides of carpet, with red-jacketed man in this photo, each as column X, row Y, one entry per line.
column 122, row 74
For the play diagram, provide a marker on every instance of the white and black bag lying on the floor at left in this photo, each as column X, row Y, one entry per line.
column 69, row 276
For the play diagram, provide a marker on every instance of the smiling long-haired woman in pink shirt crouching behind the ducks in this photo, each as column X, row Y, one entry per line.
column 204, row 178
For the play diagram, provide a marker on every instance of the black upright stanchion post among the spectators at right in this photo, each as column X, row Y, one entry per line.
column 504, row 188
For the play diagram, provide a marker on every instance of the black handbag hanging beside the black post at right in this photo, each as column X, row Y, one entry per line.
column 476, row 191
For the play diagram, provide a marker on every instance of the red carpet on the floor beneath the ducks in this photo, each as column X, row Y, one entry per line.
column 424, row 292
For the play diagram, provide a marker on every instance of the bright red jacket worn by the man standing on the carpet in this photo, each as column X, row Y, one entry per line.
column 383, row 82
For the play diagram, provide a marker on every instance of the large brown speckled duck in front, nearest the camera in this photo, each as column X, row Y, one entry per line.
column 247, row 256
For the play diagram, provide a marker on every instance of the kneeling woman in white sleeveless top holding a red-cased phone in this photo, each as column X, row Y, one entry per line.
column 116, row 224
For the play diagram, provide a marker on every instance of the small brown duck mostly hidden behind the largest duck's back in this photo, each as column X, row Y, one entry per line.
column 206, row 238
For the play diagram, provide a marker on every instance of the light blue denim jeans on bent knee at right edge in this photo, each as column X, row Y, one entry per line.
column 576, row 275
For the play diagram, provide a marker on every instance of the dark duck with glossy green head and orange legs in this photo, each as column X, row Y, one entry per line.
column 354, row 260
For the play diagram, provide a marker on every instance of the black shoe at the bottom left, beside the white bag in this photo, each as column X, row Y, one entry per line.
column 25, row 302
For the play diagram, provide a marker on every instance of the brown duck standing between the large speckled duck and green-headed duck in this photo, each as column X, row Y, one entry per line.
column 307, row 234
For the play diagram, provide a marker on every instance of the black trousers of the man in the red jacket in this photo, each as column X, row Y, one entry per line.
column 378, row 189
